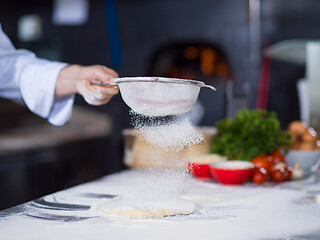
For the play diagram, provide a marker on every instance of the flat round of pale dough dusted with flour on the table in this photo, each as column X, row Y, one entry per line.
column 147, row 208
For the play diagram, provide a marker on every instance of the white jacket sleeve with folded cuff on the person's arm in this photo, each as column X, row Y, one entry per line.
column 26, row 78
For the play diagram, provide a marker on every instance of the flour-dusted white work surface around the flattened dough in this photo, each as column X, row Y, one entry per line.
column 282, row 211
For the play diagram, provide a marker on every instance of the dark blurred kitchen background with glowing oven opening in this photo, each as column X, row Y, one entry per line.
column 174, row 38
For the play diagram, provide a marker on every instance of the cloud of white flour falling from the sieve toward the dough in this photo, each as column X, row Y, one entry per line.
column 169, row 136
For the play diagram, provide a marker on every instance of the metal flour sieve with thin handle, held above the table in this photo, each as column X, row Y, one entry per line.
column 158, row 96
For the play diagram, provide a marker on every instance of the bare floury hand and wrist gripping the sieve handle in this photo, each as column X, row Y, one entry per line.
column 77, row 79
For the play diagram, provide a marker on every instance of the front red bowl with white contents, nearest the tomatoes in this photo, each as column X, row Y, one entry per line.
column 232, row 172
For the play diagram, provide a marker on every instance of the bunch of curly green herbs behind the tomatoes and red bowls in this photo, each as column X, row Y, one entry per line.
column 251, row 133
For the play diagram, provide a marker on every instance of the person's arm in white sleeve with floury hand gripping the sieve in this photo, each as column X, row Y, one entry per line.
column 47, row 88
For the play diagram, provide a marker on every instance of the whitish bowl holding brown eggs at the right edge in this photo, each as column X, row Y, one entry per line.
column 309, row 160
